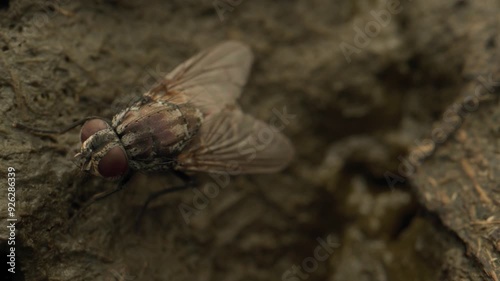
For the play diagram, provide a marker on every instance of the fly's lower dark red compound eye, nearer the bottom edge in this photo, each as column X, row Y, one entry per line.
column 114, row 163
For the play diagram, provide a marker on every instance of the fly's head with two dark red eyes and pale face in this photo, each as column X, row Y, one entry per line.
column 102, row 153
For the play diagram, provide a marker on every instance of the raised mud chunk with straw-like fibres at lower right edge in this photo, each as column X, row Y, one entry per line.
column 460, row 183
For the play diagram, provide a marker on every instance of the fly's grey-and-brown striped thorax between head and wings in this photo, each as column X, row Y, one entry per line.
column 154, row 133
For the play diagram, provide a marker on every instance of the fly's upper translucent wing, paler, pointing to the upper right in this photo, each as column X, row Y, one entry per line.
column 210, row 80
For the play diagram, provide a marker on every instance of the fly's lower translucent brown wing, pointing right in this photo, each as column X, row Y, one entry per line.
column 233, row 142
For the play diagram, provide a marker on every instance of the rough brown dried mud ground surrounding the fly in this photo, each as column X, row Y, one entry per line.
column 353, row 122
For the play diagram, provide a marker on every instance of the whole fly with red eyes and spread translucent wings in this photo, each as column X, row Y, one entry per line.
column 188, row 122
